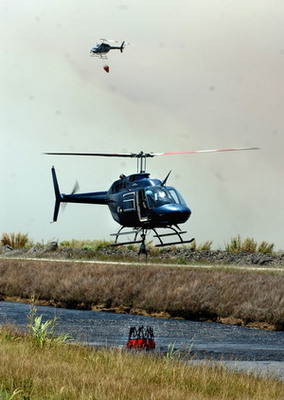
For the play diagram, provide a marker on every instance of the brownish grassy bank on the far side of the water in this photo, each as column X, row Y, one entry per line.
column 245, row 297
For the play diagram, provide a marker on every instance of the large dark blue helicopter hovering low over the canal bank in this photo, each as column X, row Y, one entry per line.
column 138, row 201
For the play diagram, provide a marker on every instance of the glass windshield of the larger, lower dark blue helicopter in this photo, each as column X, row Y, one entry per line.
column 158, row 196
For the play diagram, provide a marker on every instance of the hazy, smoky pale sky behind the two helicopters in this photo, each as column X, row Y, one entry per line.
column 197, row 75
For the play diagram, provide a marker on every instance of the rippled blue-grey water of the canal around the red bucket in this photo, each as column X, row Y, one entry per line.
column 252, row 348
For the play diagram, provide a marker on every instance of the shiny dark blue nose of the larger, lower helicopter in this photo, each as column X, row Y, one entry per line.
column 173, row 214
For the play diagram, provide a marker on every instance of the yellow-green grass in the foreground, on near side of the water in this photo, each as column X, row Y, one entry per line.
column 61, row 371
